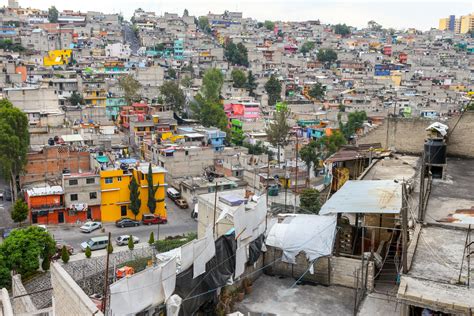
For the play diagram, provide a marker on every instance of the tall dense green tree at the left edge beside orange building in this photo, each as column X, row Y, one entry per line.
column 14, row 143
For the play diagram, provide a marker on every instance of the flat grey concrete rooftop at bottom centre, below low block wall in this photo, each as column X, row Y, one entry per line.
column 275, row 296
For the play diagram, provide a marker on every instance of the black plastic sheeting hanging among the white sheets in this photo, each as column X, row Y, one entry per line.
column 202, row 290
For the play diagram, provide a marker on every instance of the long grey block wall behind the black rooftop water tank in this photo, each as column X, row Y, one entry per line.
column 408, row 135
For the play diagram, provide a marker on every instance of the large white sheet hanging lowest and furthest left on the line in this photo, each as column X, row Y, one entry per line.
column 131, row 295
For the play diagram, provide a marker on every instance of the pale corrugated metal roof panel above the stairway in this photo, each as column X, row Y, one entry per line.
column 366, row 196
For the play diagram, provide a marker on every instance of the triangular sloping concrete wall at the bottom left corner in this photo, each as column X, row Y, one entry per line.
column 68, row 297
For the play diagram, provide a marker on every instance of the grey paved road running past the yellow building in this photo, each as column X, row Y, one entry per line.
column 179, row 222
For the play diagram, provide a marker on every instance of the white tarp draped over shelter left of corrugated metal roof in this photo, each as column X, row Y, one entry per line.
column 313, row 234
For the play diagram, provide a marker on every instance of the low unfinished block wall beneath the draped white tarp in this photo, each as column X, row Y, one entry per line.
column 342, row 270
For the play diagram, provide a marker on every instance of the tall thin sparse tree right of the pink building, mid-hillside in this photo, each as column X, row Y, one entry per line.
column 278, row 129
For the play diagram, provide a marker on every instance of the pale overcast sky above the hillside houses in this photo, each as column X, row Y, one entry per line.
column 421, row 14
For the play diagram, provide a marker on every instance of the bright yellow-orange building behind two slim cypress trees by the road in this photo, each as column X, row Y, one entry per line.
column 116, row 194
